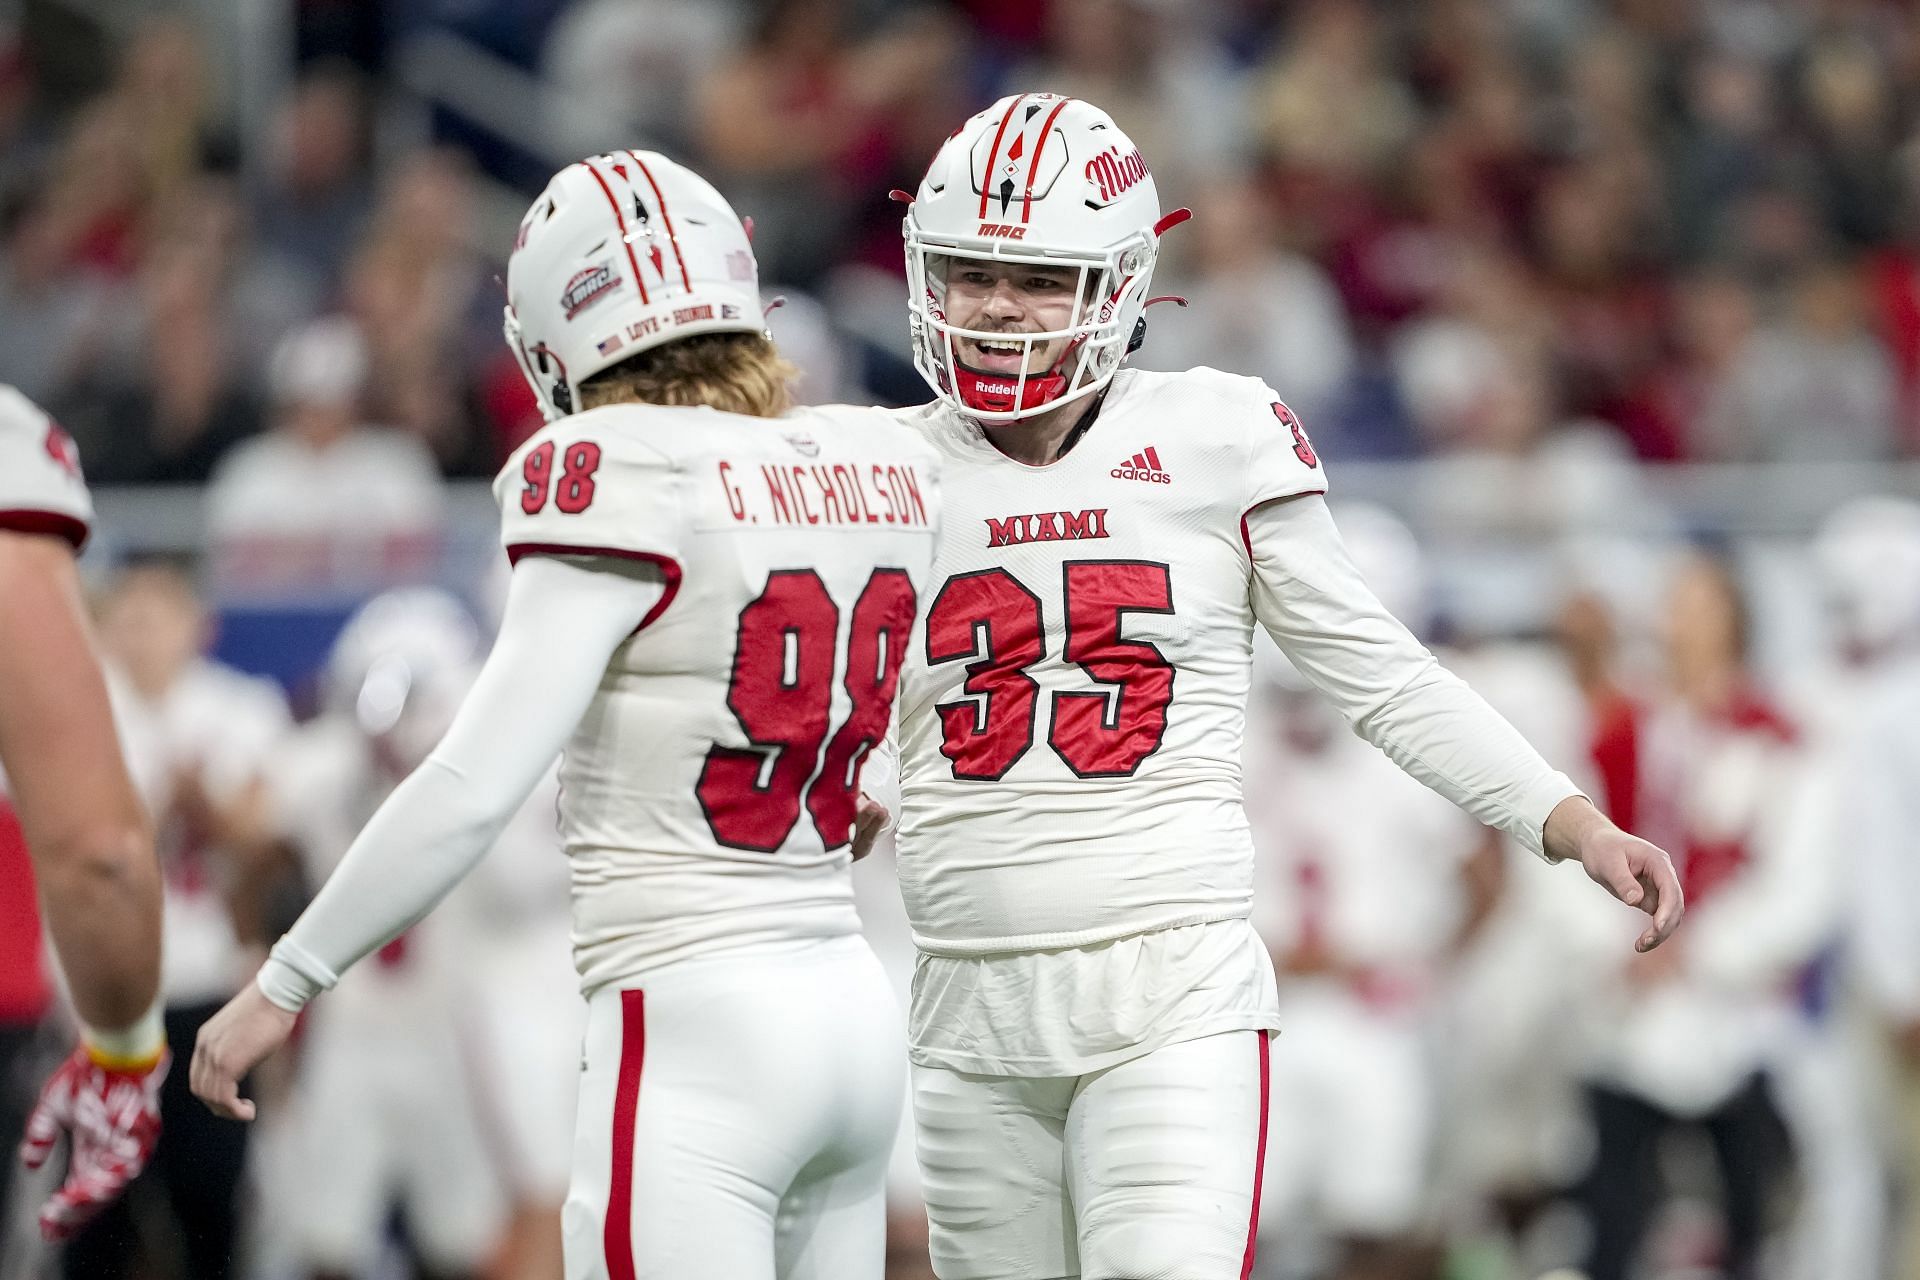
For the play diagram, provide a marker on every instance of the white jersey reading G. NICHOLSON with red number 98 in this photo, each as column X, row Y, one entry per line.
column 709, row 792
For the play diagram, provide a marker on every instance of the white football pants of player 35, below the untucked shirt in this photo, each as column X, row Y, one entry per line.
column 1143, row 1172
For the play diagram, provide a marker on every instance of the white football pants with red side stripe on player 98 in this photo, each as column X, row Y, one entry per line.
column 736, row 1118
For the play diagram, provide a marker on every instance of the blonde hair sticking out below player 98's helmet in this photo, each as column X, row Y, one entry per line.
column 734, row 373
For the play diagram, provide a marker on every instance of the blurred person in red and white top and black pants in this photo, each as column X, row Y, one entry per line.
column 1692, row 1035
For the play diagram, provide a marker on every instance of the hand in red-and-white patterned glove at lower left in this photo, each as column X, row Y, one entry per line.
column 114, row 1120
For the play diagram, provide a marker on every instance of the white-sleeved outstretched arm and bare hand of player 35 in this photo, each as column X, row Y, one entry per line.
column 1397, row 696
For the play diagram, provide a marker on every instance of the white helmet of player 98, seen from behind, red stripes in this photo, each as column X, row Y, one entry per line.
column 623, row 252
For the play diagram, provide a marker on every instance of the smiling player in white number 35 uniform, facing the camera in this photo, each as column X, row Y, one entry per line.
column 1092, row 1008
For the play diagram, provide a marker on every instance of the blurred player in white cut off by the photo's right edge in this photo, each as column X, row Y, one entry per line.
column 1861, row 1097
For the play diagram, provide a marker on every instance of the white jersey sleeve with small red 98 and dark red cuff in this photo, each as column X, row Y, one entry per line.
column 587, row 486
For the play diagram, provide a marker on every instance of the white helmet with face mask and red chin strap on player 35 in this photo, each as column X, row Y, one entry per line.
column 1045, row 181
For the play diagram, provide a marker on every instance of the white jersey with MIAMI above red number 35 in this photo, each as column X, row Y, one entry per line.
column 1070, row 724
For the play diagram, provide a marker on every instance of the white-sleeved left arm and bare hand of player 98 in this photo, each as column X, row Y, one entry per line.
column 564, row 621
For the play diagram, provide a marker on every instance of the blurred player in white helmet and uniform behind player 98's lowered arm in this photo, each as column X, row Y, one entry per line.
column 389, row 1049
